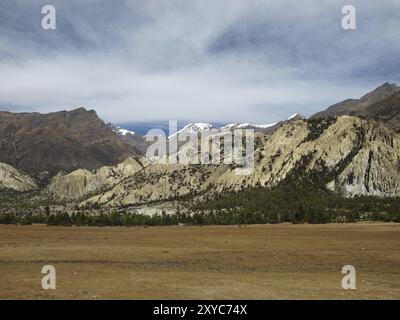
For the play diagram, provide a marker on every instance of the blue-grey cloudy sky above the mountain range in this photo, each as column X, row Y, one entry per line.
column 200, row 60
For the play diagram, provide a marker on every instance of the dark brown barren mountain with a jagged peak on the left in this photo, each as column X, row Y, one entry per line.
column 65, row 140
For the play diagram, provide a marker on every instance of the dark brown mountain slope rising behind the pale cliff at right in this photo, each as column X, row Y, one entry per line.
column 381, row 104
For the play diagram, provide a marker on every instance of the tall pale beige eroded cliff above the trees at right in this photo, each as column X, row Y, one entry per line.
column 363, row 157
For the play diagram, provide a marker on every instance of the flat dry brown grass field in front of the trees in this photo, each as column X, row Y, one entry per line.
column 218, row 262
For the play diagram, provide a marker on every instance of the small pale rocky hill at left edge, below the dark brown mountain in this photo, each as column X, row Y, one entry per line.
column 11, row 178
